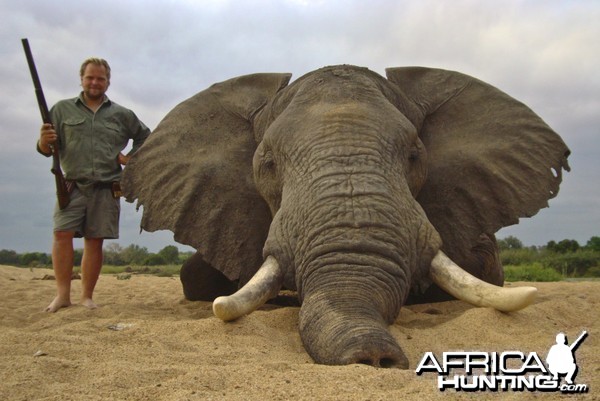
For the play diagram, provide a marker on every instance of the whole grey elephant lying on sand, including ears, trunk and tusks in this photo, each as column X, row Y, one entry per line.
column 352, row 189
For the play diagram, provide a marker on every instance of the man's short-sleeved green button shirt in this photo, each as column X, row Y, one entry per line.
column 89, row 143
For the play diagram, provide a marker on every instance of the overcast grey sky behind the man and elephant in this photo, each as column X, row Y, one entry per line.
column 545, row 53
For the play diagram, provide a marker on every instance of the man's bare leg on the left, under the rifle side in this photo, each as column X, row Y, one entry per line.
column 62, row 263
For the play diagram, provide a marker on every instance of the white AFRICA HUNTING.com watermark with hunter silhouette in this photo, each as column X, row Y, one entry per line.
column 507, row 371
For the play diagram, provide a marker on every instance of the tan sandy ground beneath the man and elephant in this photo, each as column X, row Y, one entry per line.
column 146, row 342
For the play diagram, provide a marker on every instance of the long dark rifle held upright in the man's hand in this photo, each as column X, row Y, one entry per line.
column 63, row 188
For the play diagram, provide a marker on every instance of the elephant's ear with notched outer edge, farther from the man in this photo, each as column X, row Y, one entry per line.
column 491, row 159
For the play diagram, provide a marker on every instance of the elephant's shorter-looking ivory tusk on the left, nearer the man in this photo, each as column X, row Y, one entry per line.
column 264, row 285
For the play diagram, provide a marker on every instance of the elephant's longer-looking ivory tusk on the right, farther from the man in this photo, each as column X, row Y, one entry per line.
column 462, row 285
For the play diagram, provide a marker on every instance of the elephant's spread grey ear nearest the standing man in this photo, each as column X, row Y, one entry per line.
column 193, row 175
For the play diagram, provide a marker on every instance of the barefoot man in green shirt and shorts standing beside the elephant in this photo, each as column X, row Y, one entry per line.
column 90, row 132
